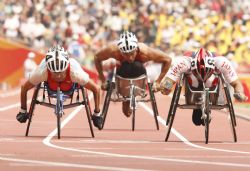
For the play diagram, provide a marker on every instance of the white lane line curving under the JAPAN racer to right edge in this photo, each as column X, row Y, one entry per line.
column 182, row 138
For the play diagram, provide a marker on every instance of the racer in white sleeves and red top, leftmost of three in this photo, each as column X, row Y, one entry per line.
column 58, row 70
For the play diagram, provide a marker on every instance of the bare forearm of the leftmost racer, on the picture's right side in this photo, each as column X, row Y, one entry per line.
column 96, row 91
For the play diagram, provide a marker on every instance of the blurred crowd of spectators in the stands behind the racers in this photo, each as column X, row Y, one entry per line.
column 84, row 26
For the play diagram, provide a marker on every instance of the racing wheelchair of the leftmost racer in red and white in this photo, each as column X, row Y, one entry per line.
column 59, row 98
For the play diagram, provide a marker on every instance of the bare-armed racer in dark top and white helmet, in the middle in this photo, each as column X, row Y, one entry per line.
column 131, row 55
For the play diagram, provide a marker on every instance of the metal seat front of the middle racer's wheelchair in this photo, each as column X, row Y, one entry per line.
column 123, row 85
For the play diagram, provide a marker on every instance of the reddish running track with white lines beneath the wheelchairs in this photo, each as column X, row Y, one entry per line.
column 116, row 147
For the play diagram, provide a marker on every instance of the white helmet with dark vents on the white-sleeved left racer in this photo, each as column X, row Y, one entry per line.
column 57, row 59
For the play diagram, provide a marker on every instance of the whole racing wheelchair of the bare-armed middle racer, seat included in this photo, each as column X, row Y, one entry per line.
column 133, row 90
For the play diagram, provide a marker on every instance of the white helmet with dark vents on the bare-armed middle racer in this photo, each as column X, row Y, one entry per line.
column 127, row 42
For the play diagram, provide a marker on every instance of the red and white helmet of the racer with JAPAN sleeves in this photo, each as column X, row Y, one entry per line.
column 202, row 64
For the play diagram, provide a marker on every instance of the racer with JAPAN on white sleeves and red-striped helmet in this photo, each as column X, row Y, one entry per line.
column 201, row 67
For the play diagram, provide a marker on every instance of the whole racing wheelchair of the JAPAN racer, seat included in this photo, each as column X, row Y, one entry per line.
column 205, row 99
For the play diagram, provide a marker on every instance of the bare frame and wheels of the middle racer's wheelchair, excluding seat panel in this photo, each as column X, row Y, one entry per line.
column 133, row 90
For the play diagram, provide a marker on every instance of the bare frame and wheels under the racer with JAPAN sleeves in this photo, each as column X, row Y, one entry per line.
column 205, row 106
